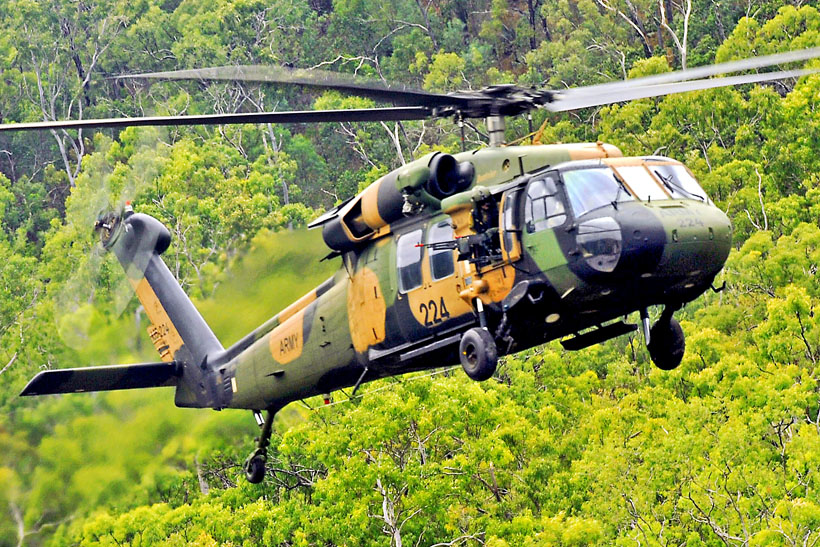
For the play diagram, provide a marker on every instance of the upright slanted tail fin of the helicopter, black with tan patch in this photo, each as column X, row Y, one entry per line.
column 178, row 331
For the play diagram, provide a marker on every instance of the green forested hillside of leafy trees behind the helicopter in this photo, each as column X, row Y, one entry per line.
column 592, row 447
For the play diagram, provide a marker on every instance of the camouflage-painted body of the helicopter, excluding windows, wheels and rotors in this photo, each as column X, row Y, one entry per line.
column 358, row 325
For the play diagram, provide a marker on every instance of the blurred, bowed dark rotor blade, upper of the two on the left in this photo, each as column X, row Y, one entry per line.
column 396, row 93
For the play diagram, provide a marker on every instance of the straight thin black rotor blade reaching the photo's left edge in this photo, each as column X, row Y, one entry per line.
column 398, row 113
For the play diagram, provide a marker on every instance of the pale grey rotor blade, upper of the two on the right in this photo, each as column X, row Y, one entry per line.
column 701, row 72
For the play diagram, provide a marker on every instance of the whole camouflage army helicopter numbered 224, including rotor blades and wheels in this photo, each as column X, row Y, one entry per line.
column 450, row 258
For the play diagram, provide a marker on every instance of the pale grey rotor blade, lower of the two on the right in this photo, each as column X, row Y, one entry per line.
column 569, row 101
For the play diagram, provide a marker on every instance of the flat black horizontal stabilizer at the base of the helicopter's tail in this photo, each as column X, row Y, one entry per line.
column 76, row 380
